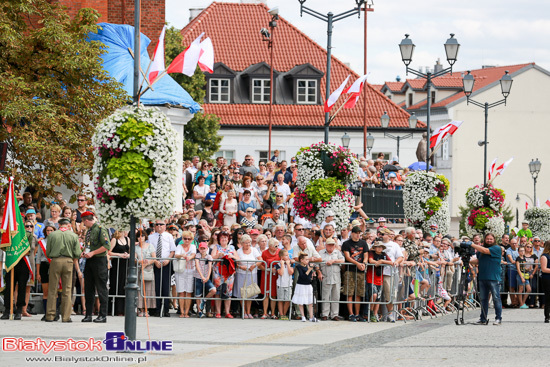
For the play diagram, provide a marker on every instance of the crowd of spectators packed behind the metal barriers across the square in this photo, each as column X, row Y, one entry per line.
column 238, row 249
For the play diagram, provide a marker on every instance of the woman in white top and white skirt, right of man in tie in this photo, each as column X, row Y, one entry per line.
column 185, row 283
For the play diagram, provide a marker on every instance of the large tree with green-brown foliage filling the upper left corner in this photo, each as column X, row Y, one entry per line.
column 53, row 92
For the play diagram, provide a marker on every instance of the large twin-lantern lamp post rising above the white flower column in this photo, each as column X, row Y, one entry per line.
column 451, row 49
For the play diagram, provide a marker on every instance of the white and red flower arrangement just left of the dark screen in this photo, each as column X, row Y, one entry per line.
column 324, row 171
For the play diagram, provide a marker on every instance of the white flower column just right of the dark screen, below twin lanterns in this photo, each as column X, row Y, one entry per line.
column 421, row 190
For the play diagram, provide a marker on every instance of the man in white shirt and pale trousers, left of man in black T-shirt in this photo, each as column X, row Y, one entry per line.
column 329, row 276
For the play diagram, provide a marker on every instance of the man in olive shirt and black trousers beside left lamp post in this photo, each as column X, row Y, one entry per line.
column 97, row 244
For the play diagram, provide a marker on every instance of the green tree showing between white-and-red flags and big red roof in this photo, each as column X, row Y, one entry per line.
column 201, row 133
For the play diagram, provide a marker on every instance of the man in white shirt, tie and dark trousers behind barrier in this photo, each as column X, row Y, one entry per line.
column 164, row 249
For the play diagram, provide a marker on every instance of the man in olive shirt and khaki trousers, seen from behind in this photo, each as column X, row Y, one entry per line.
column 64, row 250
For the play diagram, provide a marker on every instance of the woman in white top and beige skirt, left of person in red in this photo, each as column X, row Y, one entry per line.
column 247, row 272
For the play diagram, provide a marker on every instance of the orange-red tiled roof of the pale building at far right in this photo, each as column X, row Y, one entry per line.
column 483, row 77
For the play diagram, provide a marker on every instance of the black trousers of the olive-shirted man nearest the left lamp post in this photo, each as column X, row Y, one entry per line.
column 95, row 279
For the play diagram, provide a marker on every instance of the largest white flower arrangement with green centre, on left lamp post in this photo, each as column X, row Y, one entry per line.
column 155, row 149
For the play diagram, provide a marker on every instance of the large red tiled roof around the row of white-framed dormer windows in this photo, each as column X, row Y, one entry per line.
column 235, row 32
